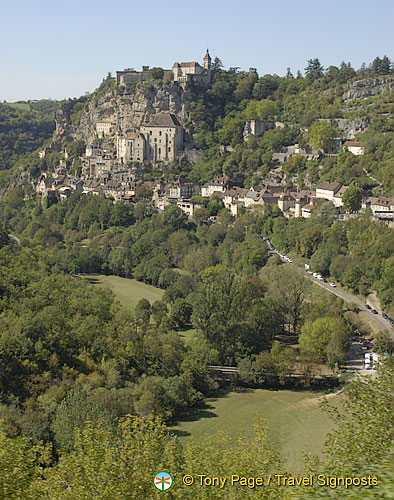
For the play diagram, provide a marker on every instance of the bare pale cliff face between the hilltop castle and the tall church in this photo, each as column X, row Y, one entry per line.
column 132, row 109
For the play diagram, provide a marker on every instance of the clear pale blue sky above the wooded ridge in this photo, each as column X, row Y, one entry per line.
column 59, row 50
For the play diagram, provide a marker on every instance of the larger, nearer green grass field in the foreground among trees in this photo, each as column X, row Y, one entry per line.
column 296, row 422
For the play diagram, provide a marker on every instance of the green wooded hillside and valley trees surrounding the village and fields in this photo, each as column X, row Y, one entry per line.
column 87, row 387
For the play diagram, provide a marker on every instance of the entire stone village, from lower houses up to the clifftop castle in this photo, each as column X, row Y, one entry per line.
column 114, row 162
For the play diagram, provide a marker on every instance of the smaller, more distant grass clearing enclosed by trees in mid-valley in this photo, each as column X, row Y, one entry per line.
column 127, row 291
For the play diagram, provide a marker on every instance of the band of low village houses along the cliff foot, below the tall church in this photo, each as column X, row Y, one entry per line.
column 122, row 185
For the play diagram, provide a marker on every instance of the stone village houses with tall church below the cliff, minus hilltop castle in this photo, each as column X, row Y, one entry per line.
column 116, row 174
